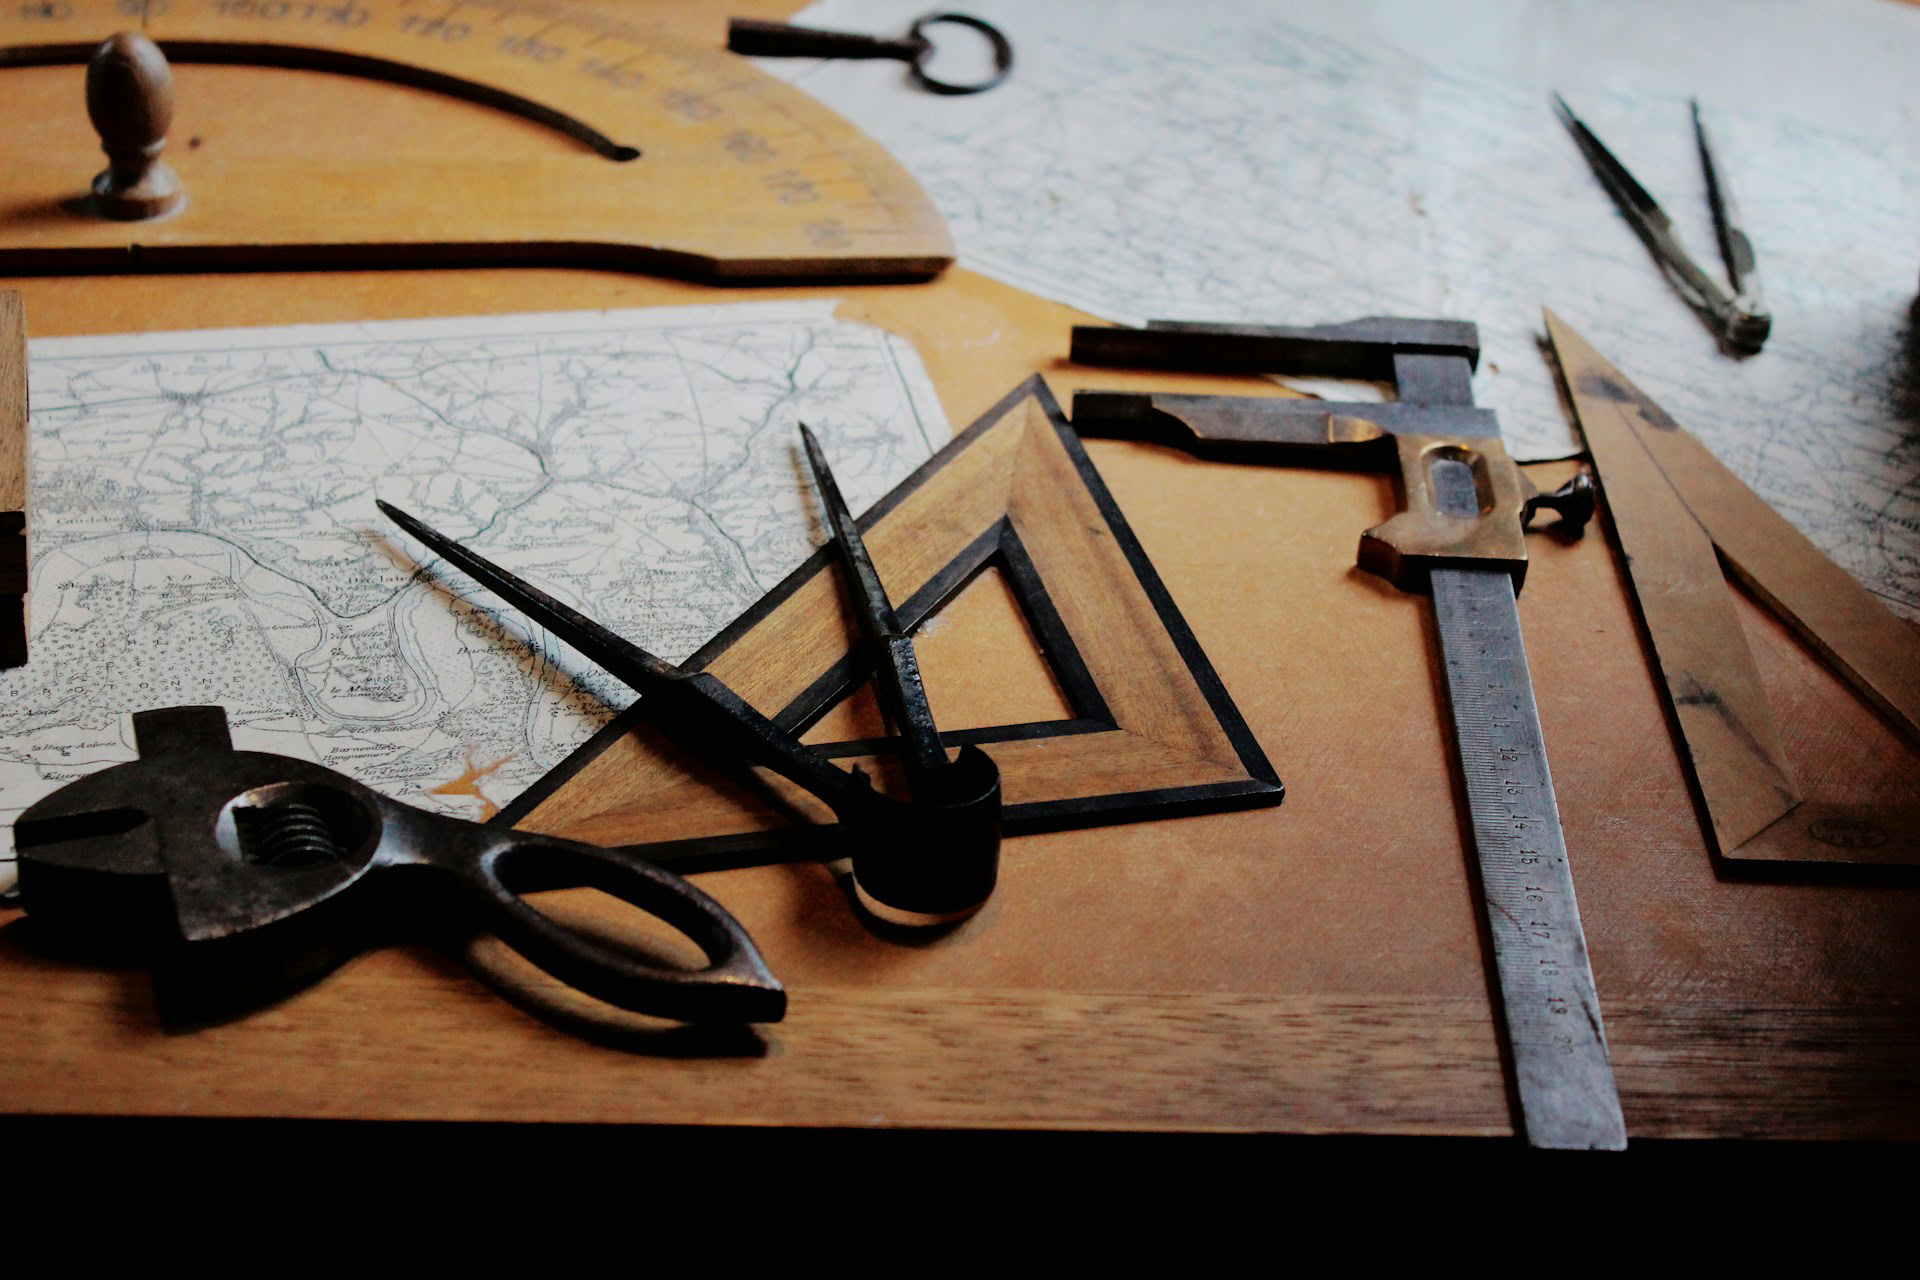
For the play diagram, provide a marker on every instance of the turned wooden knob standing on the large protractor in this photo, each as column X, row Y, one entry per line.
column 130, row 97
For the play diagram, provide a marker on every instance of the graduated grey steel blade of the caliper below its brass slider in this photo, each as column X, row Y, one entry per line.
column 1547, row 984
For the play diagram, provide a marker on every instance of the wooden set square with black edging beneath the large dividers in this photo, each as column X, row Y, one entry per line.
column 1153, row 732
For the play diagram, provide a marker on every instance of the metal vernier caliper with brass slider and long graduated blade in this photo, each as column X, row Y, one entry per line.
column 1458, row 536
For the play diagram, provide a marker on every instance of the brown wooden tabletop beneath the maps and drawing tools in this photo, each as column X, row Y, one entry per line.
column 1310, row 968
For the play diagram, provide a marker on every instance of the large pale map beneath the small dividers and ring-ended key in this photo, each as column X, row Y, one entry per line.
column 1293, row 164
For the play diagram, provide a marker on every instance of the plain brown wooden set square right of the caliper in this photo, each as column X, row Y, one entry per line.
column 1679, row 515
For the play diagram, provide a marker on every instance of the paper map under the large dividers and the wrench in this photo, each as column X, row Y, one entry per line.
column 206, row 529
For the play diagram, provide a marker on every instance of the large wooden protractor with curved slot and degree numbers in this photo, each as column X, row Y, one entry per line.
column 483, row 131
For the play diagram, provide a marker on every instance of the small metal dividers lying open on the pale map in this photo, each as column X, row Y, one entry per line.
column 1740, row 318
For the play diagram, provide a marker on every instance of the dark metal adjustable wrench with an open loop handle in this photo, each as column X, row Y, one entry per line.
column 258, row 872
